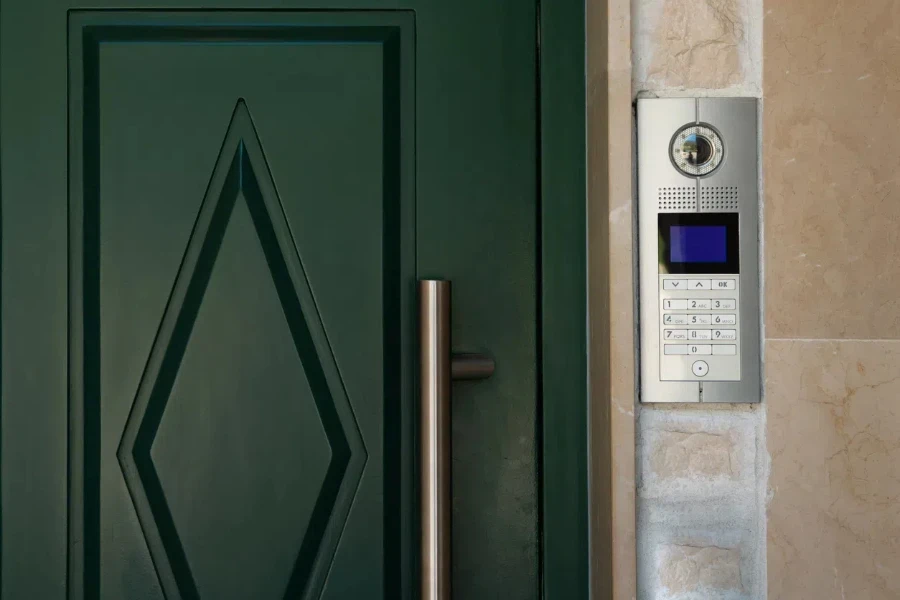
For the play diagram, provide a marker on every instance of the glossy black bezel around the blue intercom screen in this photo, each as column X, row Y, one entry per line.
column 730, row 221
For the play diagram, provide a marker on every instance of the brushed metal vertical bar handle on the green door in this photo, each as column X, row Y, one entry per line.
column 437, row 368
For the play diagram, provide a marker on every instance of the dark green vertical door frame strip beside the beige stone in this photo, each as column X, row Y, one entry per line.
column 563, row 352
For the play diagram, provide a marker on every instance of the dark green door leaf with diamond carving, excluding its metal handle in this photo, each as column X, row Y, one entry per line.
column 212, row 227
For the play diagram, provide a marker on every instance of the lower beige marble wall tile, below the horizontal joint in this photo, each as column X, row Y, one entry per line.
column 834, row 438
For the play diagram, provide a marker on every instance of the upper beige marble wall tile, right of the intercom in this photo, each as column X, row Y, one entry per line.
column 832, row 168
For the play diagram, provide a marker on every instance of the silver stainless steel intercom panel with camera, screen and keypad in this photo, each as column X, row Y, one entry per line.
column 698, row 213
